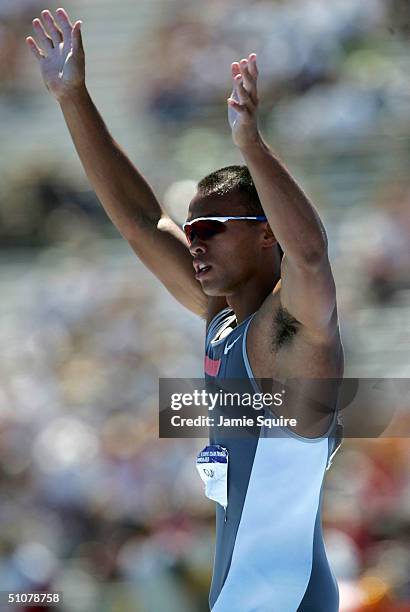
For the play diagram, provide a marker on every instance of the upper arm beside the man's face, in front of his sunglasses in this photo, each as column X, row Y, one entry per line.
column 163, row 248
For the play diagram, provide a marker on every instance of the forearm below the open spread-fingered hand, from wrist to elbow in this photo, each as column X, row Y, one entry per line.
column 124, row 193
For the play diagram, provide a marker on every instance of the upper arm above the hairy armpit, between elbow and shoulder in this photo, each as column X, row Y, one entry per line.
column 308, row 293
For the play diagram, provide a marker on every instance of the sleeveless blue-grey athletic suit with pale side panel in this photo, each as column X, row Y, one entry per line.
column 269, row 550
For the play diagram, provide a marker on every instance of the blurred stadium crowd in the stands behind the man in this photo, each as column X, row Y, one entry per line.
column 93, row 503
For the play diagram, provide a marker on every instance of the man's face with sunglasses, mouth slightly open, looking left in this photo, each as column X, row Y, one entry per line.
column 233, row 256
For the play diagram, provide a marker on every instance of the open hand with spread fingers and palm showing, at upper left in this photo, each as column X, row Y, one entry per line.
column 59, row 51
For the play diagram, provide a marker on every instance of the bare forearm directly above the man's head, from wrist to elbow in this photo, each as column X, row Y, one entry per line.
column 292, row 217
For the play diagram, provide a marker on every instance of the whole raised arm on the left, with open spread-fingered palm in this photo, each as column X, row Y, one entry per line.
column 124, row 193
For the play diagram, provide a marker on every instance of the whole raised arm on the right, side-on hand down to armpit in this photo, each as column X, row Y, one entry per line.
column 307, row 286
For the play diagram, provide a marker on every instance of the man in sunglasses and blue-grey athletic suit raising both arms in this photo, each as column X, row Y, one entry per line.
column 267, row 316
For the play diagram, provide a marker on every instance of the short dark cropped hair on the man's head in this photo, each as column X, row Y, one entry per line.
column 229, row 180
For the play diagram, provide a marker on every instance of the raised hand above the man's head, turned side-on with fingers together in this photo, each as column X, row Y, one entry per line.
column 243, row 102
